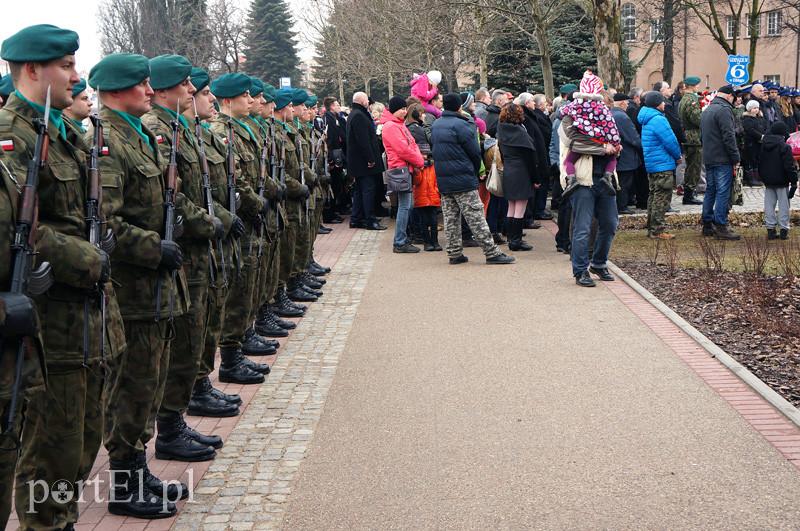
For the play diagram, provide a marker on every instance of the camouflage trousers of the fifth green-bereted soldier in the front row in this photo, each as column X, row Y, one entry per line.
column 240, row 299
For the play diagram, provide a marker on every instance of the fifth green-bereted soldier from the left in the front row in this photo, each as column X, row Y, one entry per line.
column 233, row 94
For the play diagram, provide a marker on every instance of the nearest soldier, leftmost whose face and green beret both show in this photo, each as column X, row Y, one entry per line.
column 63, row 425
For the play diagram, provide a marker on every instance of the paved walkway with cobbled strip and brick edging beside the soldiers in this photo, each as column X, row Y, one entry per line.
column 418, row 395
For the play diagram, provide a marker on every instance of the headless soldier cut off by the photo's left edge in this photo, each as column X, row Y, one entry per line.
column 31, row 383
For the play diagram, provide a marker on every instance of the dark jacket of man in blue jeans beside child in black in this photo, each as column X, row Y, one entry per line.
column 718, row 134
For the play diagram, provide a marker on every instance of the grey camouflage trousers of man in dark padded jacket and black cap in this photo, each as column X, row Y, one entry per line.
column 468, row 205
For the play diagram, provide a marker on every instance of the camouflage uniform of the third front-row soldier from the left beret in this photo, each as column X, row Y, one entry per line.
column 189, row 340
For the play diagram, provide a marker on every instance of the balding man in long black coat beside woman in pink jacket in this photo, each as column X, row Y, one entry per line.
column 364, row 163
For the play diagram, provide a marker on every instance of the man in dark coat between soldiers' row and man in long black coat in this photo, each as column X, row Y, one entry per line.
column 337, row 152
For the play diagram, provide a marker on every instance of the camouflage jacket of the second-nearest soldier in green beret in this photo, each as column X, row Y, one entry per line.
column 133, row 202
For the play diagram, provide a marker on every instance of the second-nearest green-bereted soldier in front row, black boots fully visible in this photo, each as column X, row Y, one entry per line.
column 134, row 192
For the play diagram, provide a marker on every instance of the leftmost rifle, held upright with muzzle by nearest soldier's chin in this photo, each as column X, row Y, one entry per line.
column 25, row 280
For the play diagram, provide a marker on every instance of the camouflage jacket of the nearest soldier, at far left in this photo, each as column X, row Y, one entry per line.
column 61, row 236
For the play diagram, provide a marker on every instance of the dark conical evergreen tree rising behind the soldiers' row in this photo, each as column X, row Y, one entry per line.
column 270, row 47
